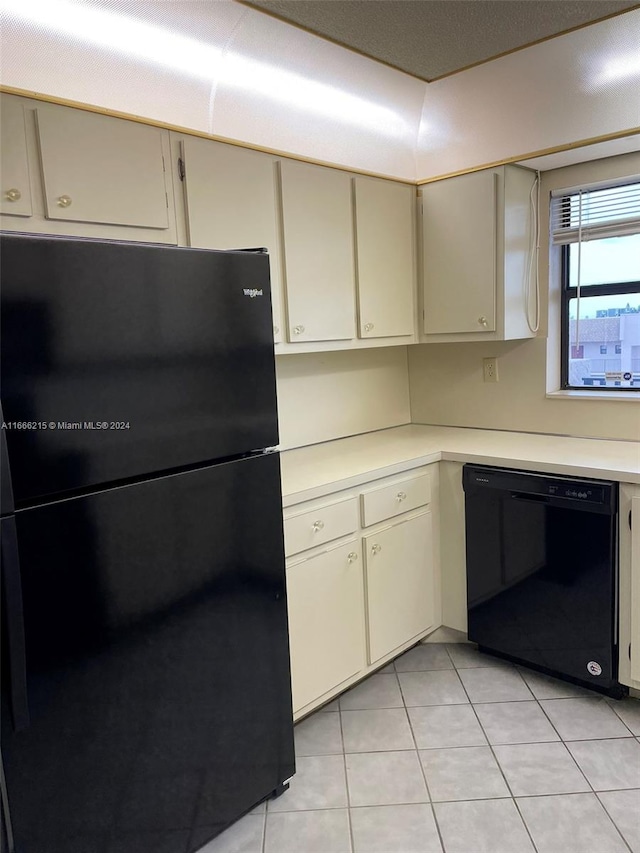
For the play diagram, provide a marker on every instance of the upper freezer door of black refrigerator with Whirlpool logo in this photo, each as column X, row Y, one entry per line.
column 120, row 360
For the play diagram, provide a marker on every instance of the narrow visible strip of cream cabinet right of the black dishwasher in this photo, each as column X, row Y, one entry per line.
column 629, row 550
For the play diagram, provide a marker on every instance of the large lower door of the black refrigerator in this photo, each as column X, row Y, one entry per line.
column 157, row 663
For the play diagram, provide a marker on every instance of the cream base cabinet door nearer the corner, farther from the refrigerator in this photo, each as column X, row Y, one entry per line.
column 399, row 580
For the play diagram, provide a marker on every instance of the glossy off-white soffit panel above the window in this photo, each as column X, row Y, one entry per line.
column 578, row 86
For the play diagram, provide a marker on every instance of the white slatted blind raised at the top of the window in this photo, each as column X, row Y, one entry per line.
column 592, row 213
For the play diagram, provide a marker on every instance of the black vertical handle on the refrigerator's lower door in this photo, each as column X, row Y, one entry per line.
column 14, row 620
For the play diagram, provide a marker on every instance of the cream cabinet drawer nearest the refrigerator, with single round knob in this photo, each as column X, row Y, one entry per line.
column 322, row 524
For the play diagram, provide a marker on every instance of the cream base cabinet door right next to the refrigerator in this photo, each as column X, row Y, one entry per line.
column 326, row 622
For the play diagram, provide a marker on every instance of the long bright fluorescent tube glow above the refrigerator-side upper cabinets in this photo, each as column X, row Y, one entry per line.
column 129, row 37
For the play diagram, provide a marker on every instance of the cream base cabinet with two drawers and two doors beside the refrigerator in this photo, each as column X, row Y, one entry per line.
column 361, row 581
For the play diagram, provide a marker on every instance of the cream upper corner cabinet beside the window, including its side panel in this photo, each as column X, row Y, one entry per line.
column 477, row 253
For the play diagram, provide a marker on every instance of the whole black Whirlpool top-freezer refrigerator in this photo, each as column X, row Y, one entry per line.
column 146, row 698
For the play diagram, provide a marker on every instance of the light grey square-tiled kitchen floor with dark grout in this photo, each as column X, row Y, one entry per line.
column 450, row 750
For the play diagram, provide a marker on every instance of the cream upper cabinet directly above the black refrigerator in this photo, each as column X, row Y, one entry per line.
column 90, row 175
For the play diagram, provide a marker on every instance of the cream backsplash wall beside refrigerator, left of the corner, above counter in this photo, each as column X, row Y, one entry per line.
column 322, row 396
